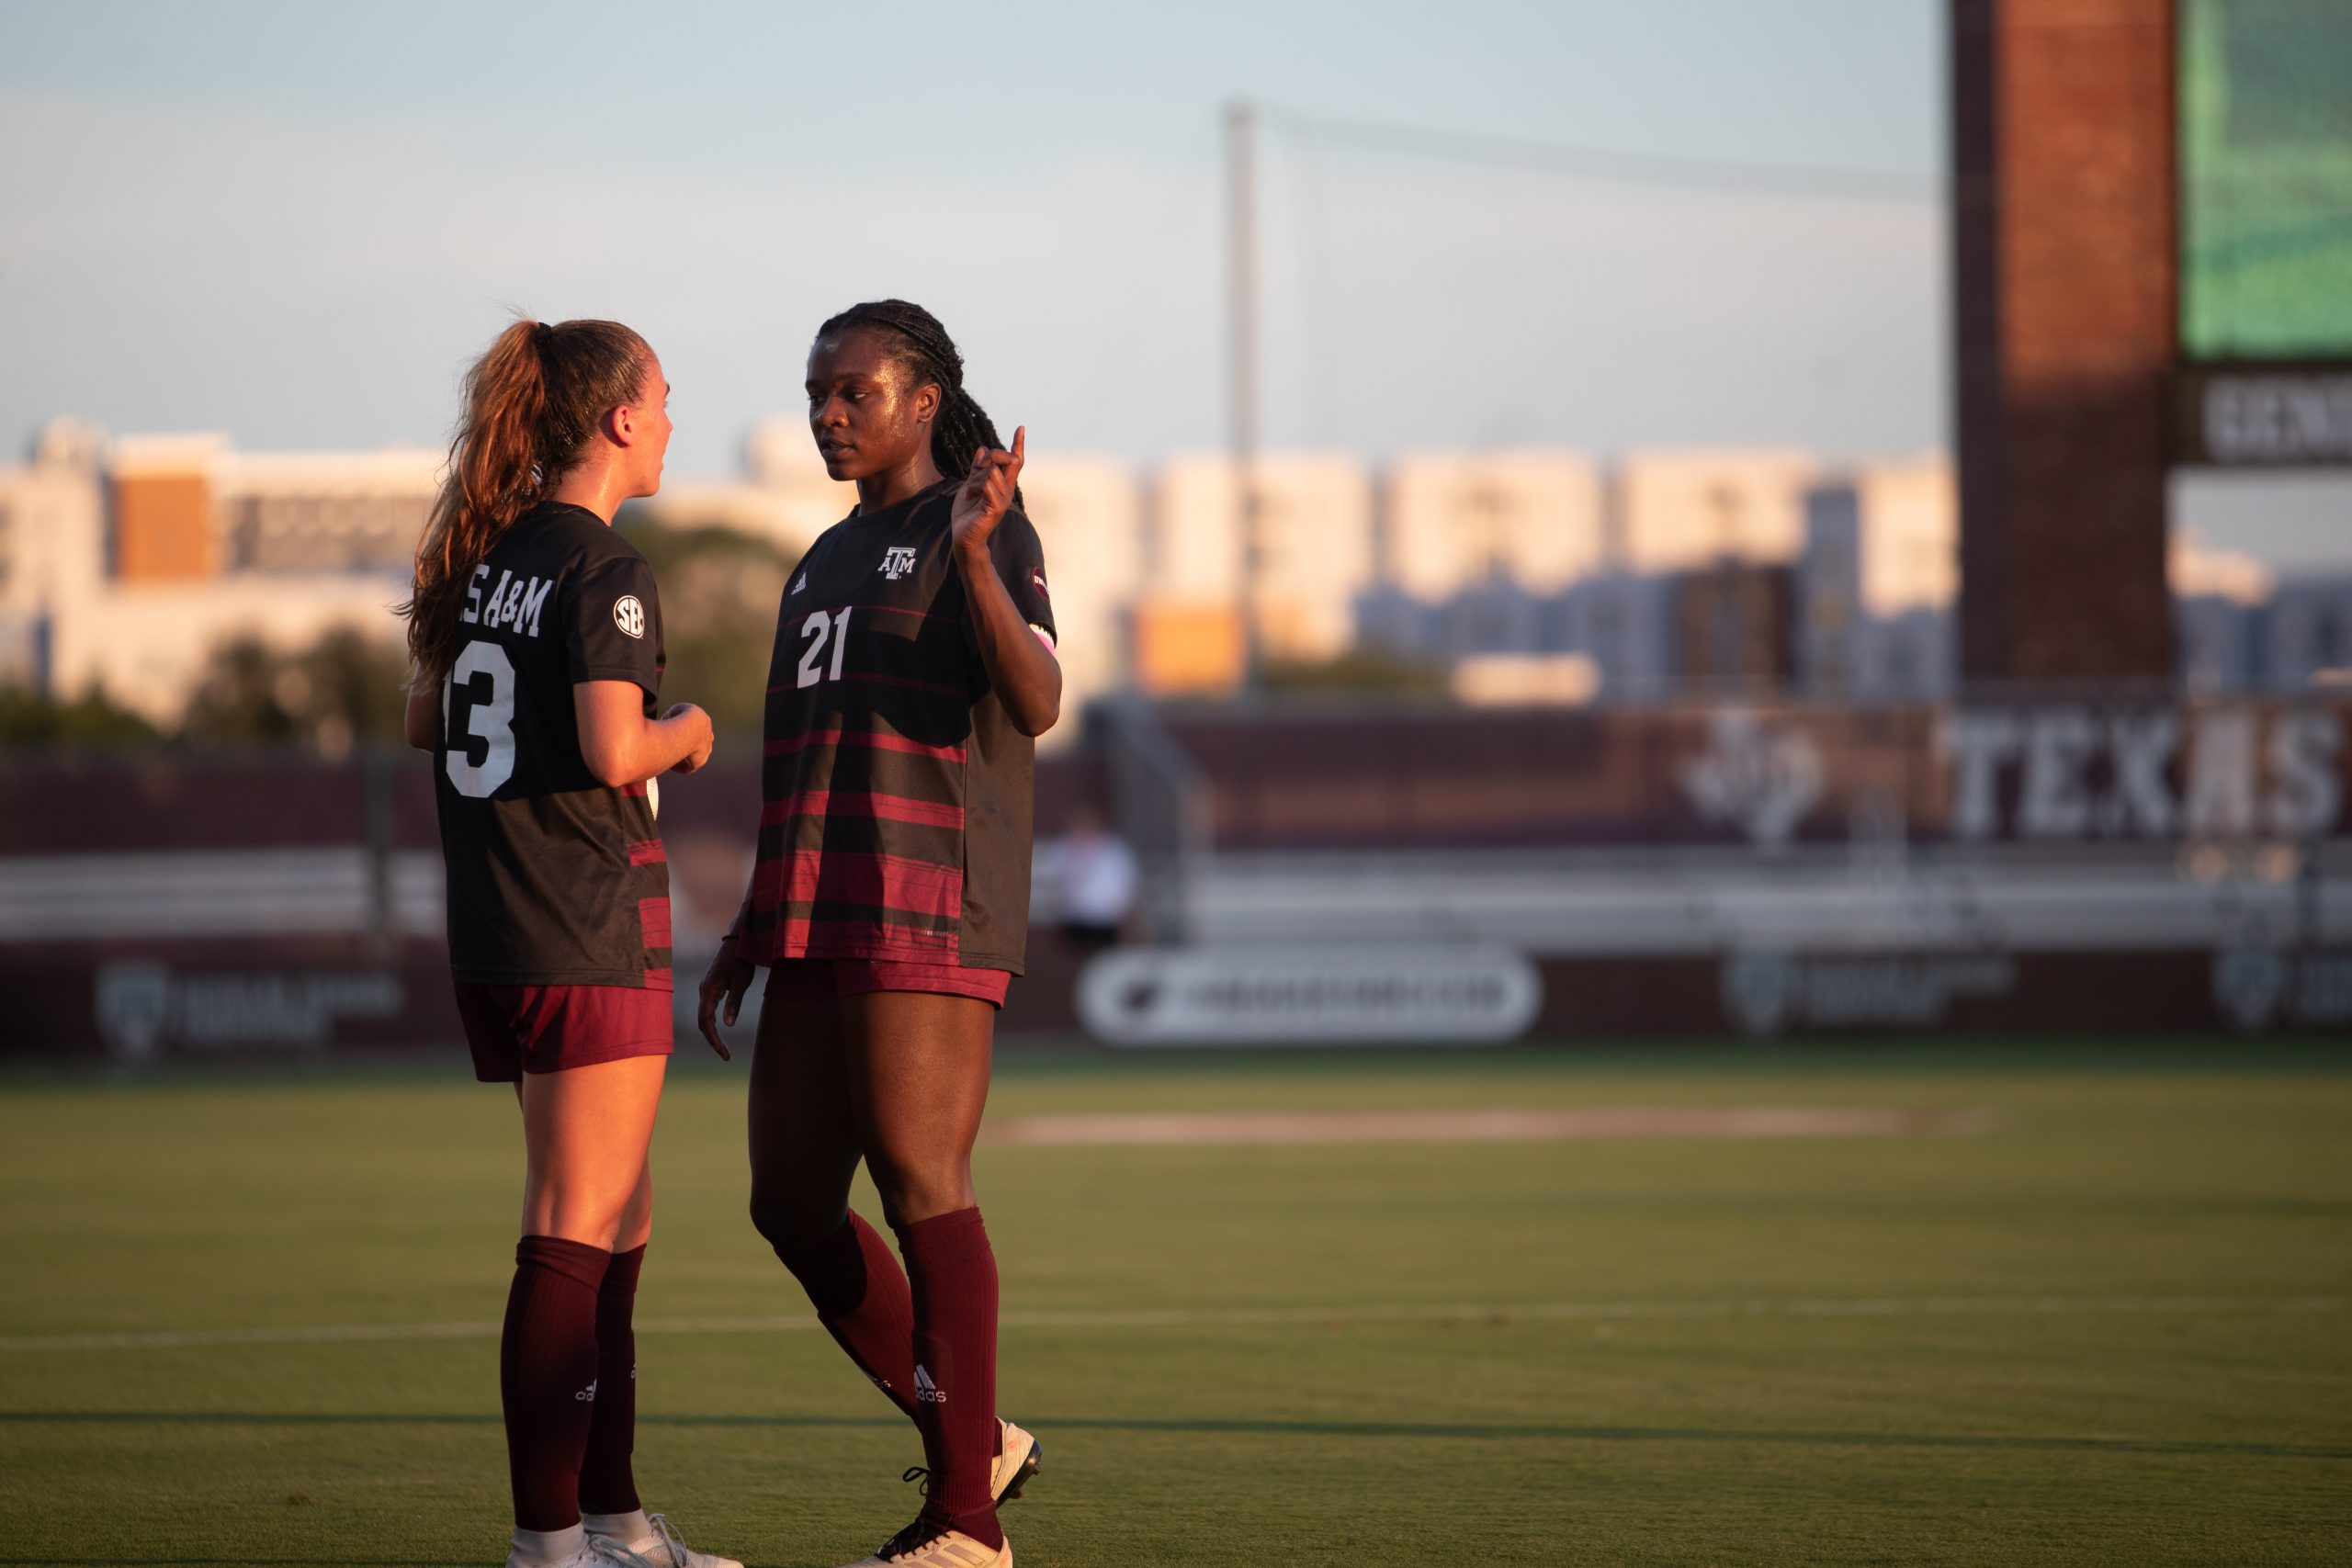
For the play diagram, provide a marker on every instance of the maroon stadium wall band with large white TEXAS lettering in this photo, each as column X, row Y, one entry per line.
column 2040, row 772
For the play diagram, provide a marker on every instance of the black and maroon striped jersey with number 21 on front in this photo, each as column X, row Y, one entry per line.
column 897, row 791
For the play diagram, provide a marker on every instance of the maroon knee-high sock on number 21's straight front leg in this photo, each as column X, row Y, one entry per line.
column 954, row 1278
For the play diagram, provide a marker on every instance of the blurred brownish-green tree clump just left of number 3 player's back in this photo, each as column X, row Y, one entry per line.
column 342, row 690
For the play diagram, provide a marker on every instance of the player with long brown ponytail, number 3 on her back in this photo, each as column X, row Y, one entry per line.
column 537, row 643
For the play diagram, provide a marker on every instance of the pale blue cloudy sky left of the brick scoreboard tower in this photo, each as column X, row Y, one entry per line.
column 298, row 222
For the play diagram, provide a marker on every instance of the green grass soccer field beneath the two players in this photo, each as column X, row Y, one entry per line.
column 2113, row 1329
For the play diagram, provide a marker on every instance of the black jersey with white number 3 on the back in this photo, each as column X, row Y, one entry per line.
column 554, row 876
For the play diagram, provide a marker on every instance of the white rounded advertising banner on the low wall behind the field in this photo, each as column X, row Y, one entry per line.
column 1405, row 996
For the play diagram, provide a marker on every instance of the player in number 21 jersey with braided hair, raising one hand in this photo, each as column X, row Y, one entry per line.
column 914, row 671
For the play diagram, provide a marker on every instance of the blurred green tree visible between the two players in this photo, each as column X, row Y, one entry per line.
column 719, row 617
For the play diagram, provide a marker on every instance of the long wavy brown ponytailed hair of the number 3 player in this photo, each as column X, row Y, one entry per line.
column 530, row 408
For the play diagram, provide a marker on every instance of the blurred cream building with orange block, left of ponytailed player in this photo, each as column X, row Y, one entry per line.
column 123, row 563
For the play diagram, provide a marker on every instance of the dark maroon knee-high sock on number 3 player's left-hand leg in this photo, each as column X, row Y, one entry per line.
column 547, row 1376
